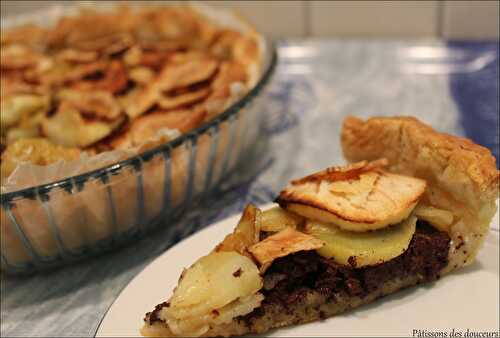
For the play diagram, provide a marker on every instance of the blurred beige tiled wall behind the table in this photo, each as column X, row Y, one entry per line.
column 446, row 19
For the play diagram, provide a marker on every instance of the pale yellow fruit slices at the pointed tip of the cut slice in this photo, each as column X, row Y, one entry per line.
column 209, row 292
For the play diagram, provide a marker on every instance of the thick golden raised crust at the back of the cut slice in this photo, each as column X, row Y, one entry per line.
column 462, row 176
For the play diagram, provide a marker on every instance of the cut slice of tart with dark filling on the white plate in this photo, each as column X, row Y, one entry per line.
column 414, row 205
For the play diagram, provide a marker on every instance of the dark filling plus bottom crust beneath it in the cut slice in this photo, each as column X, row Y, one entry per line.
column 305, row 287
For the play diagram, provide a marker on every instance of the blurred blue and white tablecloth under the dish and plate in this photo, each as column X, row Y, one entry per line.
column 454, row 87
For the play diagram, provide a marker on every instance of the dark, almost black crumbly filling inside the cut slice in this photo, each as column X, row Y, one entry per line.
column 291, row 278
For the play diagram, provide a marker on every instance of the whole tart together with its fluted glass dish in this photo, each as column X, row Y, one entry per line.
column 114, row 118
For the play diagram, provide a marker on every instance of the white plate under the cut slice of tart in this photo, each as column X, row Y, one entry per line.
column 467, row 299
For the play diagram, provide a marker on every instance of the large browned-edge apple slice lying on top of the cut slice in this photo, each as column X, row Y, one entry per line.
column 359, row 198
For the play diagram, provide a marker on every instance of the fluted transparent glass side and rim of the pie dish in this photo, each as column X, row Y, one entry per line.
column 66, row 220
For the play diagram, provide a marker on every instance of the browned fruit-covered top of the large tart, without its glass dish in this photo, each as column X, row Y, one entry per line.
column 116, row 79
